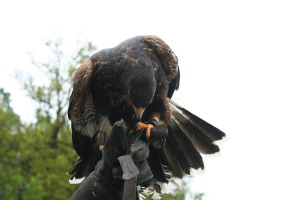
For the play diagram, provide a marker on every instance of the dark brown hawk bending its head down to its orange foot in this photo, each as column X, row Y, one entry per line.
column 135, row 81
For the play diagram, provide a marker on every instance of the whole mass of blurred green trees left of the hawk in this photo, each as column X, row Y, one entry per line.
column 36, row 157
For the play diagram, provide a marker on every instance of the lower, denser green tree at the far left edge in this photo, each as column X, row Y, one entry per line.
column 15, row 182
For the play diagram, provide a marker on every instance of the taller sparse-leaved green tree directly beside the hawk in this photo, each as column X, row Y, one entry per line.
column 50, row 153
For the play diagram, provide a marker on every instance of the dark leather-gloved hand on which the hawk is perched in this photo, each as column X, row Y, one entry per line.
column 105, row 182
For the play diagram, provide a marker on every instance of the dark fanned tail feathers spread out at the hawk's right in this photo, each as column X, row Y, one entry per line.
column 188, row 135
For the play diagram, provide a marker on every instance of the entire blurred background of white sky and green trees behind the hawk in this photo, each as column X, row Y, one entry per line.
column 239, row 63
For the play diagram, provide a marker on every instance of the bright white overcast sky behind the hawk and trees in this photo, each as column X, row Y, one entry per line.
column 239, row 62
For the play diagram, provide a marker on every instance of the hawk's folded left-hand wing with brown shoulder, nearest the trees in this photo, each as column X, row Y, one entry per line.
column 81, row 111
